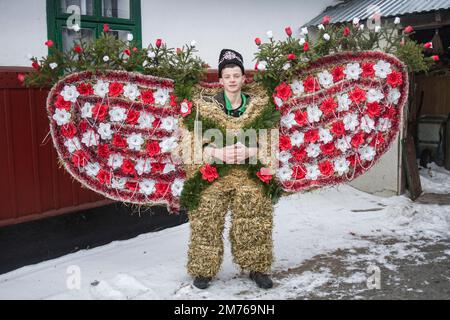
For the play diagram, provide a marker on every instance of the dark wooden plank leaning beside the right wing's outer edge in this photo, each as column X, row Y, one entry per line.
column 411, row 169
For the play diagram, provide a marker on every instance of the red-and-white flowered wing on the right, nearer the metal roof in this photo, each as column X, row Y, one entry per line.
column 338, row 118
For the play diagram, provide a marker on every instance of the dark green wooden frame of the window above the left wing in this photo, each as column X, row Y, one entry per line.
column 57, row 20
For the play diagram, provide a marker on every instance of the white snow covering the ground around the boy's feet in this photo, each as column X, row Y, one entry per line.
column 152, row 266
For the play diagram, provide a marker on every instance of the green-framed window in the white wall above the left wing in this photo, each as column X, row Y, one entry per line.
column 123, row 17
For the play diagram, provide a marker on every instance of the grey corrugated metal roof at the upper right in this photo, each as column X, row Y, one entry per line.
column 362, row 9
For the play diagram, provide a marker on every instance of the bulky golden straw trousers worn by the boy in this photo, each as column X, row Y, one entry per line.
column 251, row 226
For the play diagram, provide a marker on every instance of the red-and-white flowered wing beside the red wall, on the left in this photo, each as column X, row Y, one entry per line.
column 116, row 133
